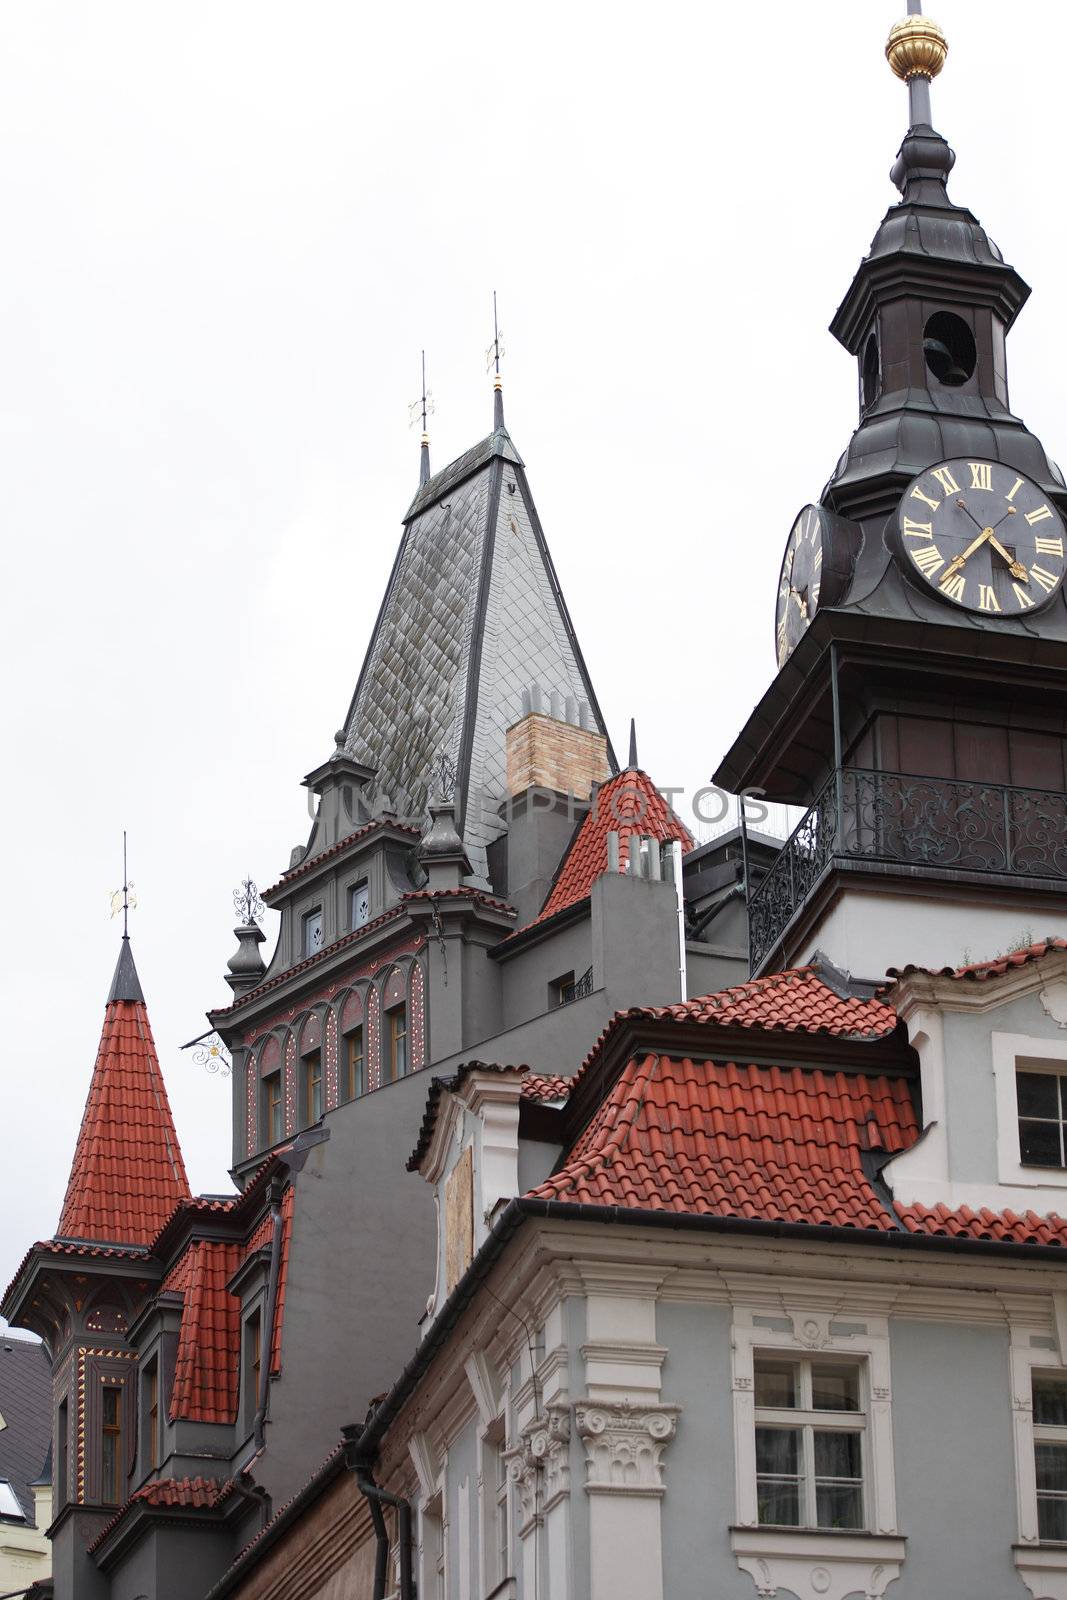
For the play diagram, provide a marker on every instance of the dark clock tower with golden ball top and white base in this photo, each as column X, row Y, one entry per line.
column 919, row 714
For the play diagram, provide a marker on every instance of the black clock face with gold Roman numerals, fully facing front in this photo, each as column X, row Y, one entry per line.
column 983, row 538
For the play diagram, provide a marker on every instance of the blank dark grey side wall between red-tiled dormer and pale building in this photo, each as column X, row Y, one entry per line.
column 361, row 1271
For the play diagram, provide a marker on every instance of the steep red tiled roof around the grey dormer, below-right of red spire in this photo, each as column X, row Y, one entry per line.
column 209, row 1343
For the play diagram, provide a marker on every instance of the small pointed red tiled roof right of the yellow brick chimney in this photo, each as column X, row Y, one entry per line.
column 626, row 806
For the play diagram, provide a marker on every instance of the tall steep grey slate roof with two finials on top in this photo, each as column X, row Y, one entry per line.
column 471, row 618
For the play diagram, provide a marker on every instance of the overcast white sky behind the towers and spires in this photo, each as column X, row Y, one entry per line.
column 230, row 228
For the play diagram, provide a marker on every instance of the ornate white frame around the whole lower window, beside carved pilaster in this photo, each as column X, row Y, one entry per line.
column 817, row 1564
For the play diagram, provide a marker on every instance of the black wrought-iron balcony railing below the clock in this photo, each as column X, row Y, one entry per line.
column 940, row 825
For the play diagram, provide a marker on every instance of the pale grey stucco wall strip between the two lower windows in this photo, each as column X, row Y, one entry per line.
column 954, row 1463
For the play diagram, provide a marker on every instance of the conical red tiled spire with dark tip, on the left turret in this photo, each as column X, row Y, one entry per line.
column 129, row 1172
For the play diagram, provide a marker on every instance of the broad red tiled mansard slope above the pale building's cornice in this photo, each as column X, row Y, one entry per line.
column 770, row 1143
